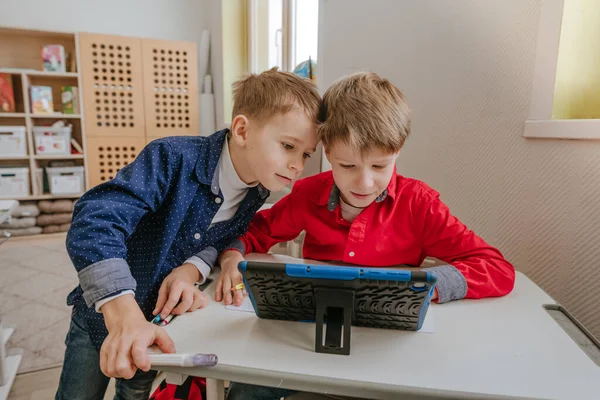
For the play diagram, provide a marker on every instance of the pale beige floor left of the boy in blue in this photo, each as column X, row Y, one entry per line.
column 35, row 277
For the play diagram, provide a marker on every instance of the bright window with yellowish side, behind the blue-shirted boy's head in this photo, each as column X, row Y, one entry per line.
column 261, row 34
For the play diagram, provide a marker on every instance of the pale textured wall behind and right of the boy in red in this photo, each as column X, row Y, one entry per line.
column 466, row 67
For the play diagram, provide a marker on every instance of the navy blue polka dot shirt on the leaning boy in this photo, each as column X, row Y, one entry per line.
column 131, row 232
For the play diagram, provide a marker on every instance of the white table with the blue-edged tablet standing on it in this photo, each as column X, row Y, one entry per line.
column 507, row 347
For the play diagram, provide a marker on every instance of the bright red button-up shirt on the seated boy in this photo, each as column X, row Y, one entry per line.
column 407, row 223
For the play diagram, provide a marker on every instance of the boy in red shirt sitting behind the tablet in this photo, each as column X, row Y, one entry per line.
column 362, row 212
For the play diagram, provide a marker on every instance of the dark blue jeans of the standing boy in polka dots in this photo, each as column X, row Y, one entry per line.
column 81, row 377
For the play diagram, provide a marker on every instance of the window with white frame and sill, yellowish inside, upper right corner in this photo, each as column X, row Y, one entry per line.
column 566, row 87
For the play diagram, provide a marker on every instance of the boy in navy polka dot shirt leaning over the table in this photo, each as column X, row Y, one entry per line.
column 133, row 239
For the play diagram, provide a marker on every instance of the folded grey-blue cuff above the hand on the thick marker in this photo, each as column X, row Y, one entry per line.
column 104, row 278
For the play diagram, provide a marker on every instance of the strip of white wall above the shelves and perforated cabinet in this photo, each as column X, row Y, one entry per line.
column 157, row 19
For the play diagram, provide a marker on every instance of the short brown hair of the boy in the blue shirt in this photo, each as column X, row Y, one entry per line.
column 260, row 96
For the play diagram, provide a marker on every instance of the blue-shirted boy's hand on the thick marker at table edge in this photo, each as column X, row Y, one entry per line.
column 129, row 335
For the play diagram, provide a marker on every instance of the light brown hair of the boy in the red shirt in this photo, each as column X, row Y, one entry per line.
column 364, row 111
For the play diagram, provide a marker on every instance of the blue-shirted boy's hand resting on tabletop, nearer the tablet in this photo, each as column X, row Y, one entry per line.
column 179, row 285
